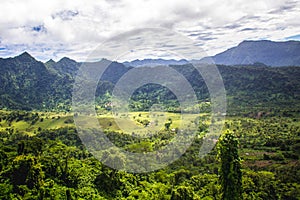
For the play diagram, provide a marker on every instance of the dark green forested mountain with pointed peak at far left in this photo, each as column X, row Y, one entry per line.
column 28, row 84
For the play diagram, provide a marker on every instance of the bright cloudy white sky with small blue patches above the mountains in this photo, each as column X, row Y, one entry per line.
column 54, row 29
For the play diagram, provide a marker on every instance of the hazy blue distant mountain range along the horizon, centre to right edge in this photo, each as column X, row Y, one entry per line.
column 270, row 53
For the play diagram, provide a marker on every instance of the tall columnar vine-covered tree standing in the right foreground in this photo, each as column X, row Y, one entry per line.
column 230, row 171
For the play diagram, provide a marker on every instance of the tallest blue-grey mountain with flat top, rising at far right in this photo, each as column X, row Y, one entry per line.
column 267, row 52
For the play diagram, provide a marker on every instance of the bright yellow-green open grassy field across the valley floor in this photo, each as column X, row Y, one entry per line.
column 132, row 122
